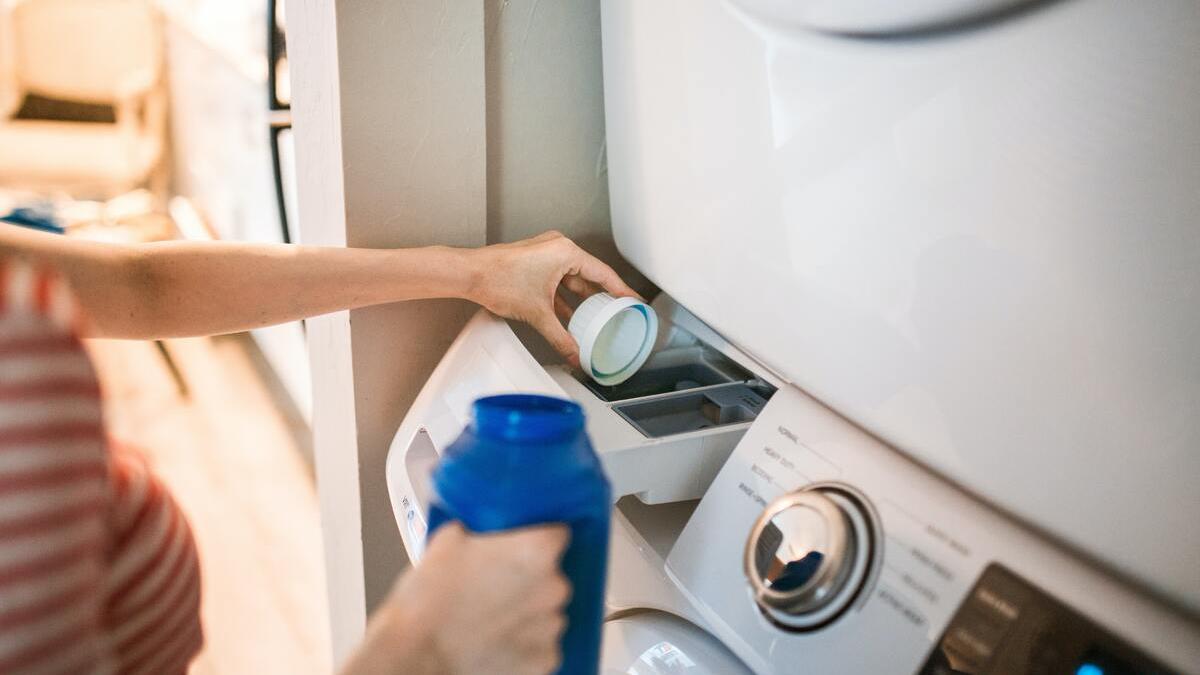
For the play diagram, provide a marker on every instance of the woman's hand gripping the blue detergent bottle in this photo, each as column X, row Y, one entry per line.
column 477, row 604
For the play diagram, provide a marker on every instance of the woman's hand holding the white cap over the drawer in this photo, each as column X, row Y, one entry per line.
column 523, row 282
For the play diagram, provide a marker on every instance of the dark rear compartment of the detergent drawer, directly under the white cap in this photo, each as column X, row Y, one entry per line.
column 680, row 369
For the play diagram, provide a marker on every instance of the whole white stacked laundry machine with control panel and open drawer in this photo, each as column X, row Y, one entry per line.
column 925, row 398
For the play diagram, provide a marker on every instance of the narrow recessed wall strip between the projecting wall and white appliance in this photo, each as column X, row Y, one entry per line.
column 547, row 165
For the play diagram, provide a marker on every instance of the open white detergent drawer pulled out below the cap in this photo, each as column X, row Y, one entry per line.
column 663, row 434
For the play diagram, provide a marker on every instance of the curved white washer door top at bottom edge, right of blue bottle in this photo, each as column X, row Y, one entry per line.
column 656, row 643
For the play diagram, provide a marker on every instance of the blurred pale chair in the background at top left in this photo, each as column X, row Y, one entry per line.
column 100, row 52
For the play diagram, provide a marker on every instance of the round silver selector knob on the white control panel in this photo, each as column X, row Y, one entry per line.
column 808, row 555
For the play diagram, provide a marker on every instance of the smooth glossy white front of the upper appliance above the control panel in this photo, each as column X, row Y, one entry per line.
column 981, row 246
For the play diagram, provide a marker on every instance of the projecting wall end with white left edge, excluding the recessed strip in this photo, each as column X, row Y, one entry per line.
column 388, row 110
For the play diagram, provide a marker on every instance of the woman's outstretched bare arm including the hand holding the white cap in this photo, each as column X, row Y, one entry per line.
column 207, row 288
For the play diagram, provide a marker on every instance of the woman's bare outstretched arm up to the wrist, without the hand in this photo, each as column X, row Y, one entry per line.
column 178, row 289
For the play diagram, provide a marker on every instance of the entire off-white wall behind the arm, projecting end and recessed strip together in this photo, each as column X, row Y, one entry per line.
column 422, row 122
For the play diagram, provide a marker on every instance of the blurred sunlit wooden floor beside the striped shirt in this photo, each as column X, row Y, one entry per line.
column 236, row 462
